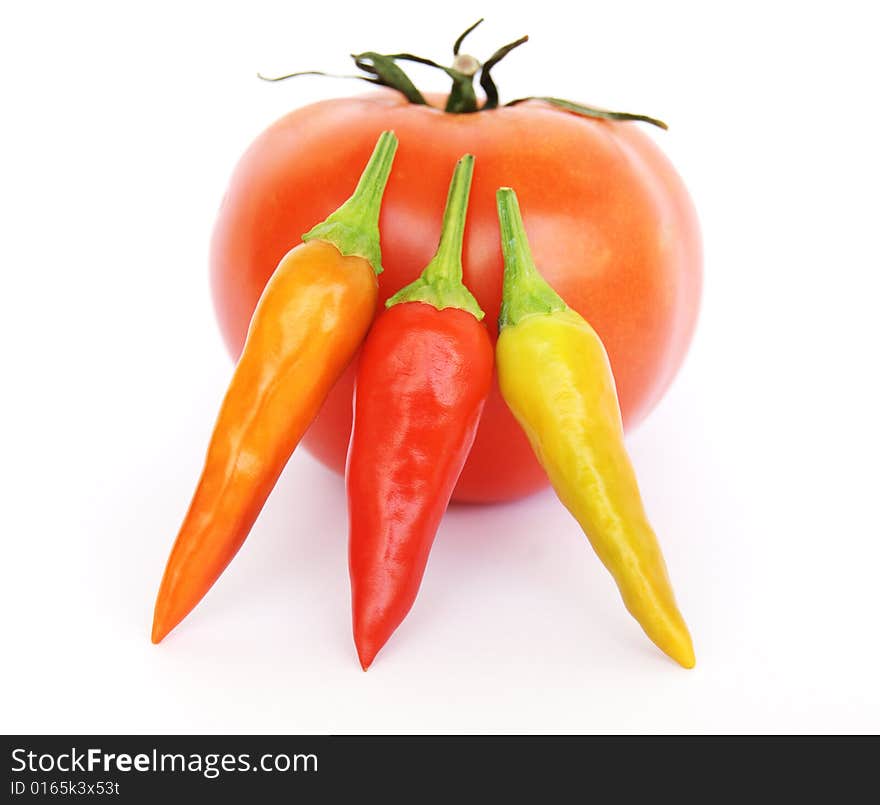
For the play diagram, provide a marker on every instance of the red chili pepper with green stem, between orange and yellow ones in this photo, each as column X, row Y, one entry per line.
column 423, row 377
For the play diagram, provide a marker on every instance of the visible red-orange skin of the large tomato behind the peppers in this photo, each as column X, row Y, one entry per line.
column 610, row 222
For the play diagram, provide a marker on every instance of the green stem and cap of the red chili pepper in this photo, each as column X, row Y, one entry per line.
column 440, row 284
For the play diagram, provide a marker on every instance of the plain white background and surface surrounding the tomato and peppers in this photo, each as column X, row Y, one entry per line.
column 121, row 124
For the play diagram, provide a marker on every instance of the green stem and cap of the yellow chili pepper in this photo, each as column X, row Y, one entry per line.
column 525, row 292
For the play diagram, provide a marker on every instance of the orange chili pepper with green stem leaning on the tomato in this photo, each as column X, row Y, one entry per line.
column 309, row 322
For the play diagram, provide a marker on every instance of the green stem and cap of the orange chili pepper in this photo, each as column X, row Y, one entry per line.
column 354, row 227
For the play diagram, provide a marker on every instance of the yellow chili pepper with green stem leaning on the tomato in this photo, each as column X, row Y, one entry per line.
column 555, row 376
